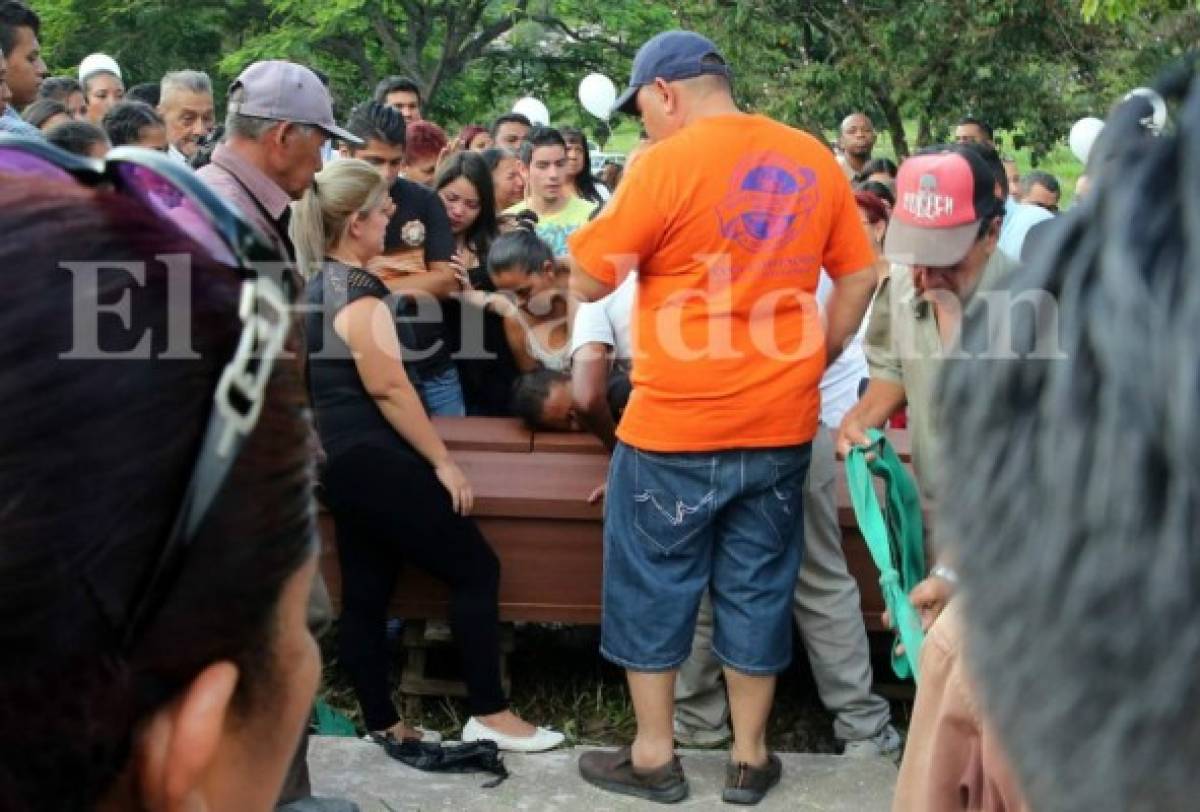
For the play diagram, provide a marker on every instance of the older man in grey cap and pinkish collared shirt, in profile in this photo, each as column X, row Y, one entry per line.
column 280, row 118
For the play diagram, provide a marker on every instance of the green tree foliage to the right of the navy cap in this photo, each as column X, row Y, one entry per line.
column 1017, row 64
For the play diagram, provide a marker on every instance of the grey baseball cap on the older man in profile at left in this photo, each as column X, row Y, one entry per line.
column 287, row 92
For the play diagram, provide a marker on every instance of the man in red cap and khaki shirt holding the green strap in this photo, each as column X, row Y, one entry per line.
column 943, row 244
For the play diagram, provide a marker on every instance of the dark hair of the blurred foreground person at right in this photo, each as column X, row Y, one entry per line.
column 1076, row 510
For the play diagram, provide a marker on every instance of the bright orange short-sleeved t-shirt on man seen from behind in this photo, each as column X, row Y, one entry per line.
column 729, row 224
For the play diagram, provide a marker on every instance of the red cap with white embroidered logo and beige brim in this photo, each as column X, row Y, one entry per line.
column 941, row 200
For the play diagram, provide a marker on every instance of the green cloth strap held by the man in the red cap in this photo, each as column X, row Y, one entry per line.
column 896, row 538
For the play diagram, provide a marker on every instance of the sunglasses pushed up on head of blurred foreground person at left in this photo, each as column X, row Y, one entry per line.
column 182, row 200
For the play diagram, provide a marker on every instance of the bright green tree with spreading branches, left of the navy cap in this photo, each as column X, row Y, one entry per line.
column 471, row 58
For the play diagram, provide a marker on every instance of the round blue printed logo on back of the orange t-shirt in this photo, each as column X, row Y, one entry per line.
column 771, row 202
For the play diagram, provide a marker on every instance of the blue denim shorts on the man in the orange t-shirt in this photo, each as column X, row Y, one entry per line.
column 679, row 525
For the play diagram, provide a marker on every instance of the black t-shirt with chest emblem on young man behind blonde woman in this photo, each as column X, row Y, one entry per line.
column 418, row 204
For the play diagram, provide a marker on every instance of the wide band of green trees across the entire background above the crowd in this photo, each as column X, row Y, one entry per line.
column 1030, row 68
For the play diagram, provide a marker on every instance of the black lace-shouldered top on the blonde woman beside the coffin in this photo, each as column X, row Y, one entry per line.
column 346, row 414
